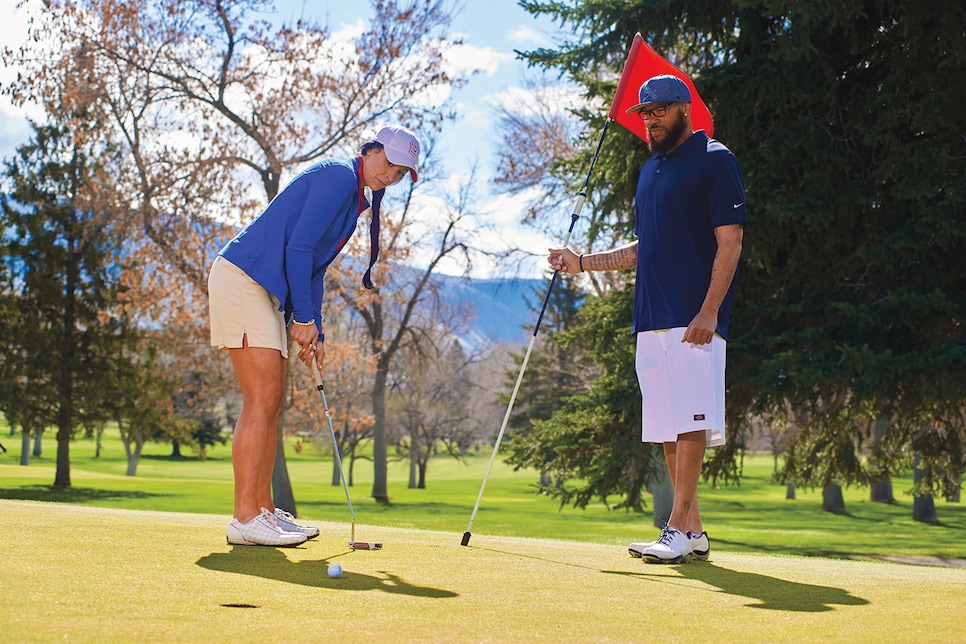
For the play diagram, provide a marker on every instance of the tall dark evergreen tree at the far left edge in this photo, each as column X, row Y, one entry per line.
column 66, row 286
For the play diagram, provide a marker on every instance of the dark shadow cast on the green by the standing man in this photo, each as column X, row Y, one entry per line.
column 772, row 593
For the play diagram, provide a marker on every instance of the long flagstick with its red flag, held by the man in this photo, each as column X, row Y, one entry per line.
column 642, row 63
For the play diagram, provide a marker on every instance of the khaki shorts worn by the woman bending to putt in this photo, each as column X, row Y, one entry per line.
column 238, row 306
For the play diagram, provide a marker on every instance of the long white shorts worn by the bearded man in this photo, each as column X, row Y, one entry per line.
column 682, row 386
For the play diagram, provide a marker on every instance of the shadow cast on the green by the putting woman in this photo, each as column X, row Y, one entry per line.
column 271, row 563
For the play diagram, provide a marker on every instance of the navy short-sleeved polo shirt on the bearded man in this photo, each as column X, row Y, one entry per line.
column 681, row 198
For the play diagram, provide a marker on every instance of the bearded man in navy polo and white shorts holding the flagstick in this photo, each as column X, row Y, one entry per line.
column 690, row 216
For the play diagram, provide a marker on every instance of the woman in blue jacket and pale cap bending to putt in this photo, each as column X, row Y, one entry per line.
column 269, row 278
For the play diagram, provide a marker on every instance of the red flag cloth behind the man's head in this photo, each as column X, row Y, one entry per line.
column 642, row 63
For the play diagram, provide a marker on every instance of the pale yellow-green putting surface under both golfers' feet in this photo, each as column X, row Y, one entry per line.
column 99, row 575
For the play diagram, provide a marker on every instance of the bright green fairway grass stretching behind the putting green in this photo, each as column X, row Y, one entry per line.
column 754, row 517
